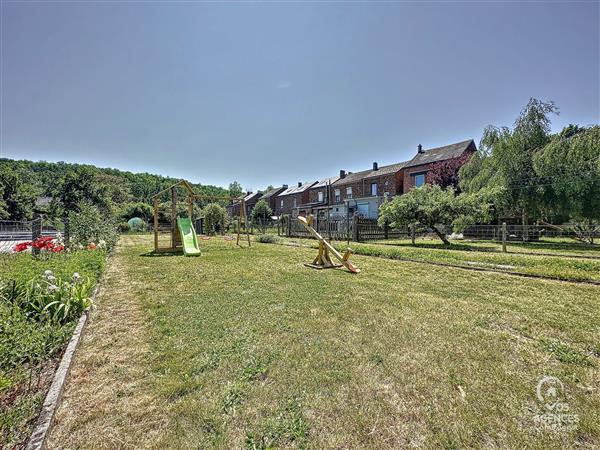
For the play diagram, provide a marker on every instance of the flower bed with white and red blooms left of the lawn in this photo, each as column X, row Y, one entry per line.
column 40, row 302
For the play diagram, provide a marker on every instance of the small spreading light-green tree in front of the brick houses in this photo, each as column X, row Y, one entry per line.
column 435, row 208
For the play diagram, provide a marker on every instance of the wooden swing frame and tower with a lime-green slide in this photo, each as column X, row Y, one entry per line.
column 174, row 227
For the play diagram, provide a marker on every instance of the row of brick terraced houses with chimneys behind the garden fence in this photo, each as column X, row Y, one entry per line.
column 361, row 193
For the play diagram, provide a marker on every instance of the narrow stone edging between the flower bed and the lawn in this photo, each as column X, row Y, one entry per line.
column 37, row 440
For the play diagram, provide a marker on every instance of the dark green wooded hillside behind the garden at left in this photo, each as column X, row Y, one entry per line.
column 118, row 194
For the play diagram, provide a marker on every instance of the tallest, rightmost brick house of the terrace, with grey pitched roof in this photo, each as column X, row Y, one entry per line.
column 415, row 170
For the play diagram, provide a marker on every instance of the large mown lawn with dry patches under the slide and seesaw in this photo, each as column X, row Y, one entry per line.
column 246, row 348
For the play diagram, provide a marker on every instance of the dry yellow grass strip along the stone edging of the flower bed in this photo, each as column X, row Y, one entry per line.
column 108, row 402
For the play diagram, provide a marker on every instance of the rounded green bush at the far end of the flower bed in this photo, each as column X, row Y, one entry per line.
column 89, row 226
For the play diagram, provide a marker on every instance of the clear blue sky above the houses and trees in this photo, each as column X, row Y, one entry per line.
column 274, row 93
